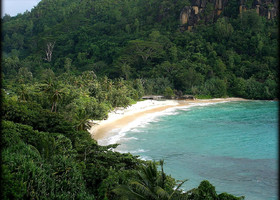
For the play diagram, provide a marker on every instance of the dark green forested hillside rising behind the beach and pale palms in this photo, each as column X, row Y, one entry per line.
column 233, row 55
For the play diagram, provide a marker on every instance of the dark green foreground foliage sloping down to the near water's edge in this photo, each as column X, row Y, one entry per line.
column 45, row 156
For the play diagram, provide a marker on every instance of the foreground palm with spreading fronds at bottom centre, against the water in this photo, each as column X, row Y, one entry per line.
column 150, row 185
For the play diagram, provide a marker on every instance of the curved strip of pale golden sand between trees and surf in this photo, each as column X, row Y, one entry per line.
column 121, row 117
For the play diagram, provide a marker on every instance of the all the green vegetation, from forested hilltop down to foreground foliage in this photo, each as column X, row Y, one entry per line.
column 69, row 61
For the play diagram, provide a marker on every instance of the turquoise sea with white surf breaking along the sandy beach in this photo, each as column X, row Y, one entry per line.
column 233, row 145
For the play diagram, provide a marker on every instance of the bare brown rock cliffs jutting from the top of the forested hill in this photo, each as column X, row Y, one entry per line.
column 209, row 10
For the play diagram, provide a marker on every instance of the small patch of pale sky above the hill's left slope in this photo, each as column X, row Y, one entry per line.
column 13, row 7
